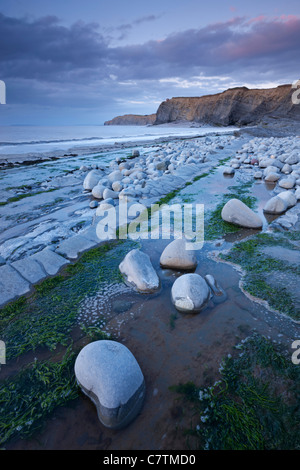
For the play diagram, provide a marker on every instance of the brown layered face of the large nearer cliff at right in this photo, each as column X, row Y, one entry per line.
column 236, row 106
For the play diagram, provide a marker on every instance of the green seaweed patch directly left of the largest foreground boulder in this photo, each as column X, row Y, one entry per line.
column 33, row 393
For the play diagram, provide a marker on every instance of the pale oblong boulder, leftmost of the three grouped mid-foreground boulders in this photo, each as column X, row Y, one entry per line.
column 138, row 271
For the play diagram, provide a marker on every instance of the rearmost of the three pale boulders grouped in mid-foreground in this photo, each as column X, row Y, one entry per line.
column 176, row 256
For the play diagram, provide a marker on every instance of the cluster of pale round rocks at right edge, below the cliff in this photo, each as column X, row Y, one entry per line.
column 277, row 161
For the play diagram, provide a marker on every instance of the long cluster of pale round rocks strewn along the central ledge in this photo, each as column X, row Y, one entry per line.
column 129, row 178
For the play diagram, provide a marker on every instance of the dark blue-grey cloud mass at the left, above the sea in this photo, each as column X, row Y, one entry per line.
column 44, row 49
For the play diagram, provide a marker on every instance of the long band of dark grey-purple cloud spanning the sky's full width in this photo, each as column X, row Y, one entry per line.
column 46, row 50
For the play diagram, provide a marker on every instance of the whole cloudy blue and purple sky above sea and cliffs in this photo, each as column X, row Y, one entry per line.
column 72, row 62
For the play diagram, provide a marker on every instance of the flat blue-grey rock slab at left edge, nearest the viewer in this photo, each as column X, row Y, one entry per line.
column 12, row 284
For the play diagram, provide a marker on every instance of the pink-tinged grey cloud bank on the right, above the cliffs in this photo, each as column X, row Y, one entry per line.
column 219, row 48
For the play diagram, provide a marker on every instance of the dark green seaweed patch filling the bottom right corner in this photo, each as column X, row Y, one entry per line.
column 254, row 406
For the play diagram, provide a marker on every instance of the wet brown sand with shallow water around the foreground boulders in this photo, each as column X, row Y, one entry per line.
column 171, row 348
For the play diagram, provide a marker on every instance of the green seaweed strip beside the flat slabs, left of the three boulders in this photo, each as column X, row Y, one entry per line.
column 46, row 318
